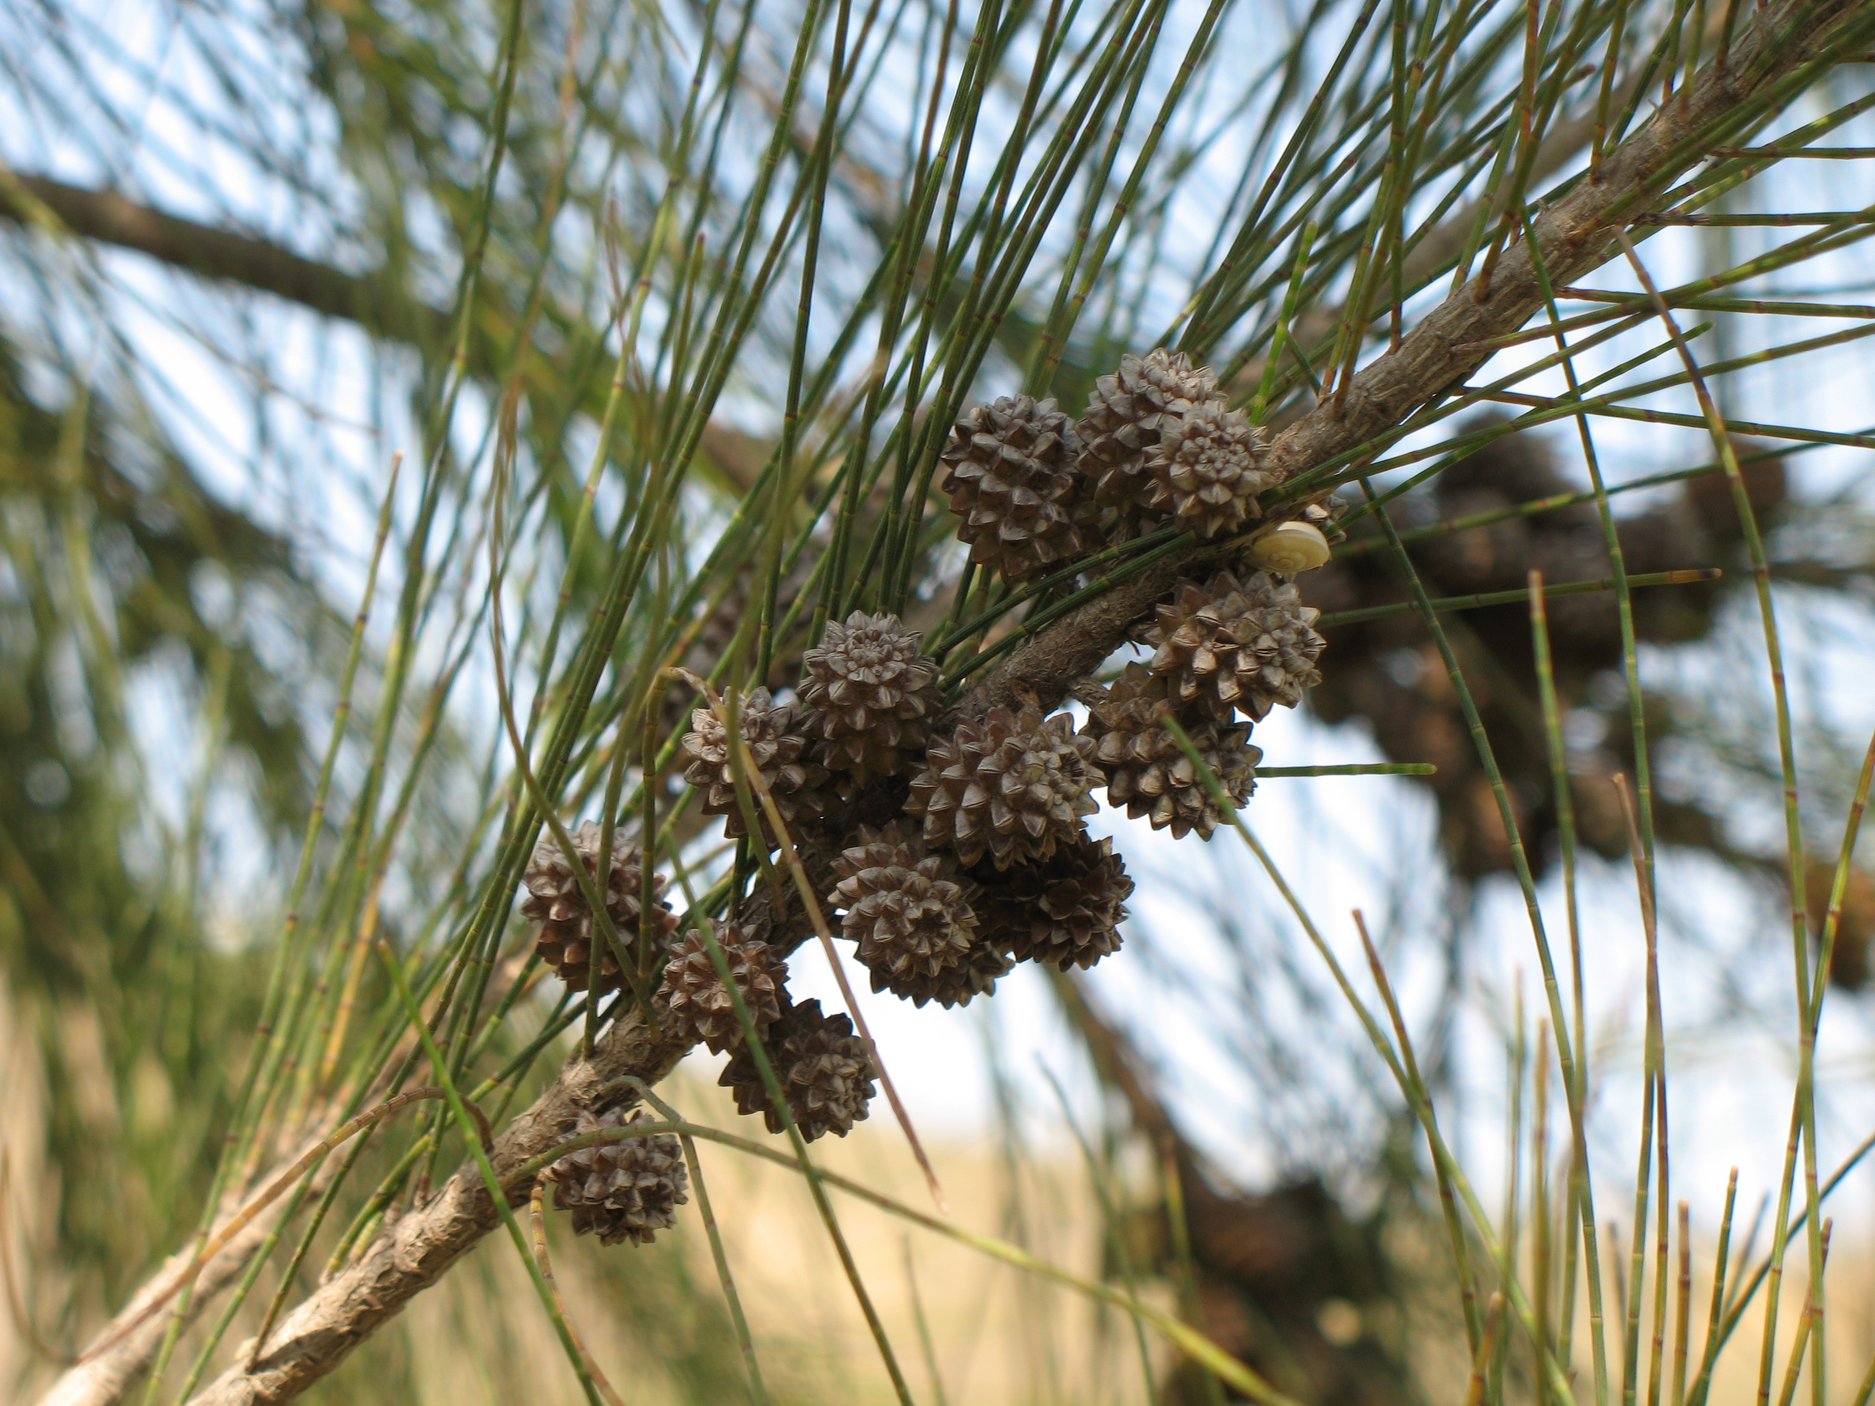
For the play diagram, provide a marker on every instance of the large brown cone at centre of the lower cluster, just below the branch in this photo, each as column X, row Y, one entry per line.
column 1010, row 786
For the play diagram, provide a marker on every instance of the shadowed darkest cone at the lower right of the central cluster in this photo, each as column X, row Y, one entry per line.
column 1066, row 912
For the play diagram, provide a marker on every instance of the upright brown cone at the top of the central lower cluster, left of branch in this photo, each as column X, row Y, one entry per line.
column 869, row 695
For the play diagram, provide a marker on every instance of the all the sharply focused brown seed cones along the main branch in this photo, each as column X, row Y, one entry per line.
column 976, row 856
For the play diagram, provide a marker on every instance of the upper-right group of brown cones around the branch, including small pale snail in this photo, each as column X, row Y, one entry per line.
column 1158, row 447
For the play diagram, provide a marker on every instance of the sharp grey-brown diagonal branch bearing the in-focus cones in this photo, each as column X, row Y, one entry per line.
column 1576, row 235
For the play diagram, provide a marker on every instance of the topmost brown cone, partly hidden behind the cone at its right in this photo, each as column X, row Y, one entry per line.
column 1128, row 417
